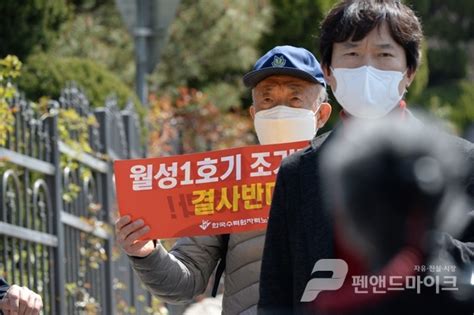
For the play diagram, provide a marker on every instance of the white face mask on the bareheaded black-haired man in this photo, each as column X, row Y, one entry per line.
column 367, row 92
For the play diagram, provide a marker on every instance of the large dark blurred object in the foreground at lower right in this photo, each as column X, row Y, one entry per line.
column 398, row 192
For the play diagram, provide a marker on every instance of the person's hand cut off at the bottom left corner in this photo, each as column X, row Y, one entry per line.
column 18, row 300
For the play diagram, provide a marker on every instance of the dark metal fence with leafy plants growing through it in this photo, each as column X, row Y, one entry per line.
column 57, row 205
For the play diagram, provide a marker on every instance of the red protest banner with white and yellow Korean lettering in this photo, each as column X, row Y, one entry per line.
column 216, row 192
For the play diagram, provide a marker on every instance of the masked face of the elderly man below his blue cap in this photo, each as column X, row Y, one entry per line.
column 287, row 109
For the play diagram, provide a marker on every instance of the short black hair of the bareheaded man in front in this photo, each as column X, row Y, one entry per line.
column 354, row 19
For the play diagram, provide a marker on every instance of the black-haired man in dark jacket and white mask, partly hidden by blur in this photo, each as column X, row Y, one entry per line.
column 370, row 53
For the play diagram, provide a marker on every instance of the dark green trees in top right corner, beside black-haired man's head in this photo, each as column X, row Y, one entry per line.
column 449, row 27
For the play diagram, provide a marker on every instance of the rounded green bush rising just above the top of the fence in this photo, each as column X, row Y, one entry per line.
column 44, row 75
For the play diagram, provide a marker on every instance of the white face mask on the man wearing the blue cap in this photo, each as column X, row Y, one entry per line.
column 282, row 124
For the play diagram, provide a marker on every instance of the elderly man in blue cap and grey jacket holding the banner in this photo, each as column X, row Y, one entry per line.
column 288, row 92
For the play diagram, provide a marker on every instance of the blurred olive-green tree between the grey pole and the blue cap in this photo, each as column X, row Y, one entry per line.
column 212, row 43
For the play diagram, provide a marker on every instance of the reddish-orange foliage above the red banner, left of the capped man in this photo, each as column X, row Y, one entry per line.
column 186, row 121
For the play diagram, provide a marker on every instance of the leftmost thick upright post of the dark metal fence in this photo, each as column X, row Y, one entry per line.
column 56, row 195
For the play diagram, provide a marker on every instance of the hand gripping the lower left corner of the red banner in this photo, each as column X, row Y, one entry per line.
column 128, row 237
